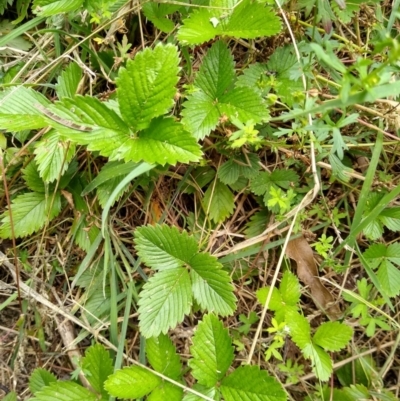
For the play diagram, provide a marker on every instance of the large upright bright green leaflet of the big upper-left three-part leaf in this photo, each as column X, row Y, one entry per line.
column 146, row 87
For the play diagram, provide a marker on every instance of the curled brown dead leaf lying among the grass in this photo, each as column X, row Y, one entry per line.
column 300, row 251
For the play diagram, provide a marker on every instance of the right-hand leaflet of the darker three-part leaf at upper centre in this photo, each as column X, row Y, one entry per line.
column 243, row 103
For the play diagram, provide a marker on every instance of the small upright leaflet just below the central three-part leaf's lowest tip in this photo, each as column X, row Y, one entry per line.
column 162, row 356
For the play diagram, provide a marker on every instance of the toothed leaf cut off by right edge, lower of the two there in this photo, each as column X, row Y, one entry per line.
column 384, row 258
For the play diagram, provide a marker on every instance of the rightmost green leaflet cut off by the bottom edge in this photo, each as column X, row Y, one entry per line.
column 251, row 384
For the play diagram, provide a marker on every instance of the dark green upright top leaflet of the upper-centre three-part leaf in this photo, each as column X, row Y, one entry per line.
column 217, row 72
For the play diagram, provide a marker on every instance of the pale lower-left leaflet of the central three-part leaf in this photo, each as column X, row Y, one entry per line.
column 164, row 301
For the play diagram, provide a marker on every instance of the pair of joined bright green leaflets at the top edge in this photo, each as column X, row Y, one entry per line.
column 247, row 20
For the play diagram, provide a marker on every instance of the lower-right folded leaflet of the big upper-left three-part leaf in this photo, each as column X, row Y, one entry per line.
column 164, row 141
